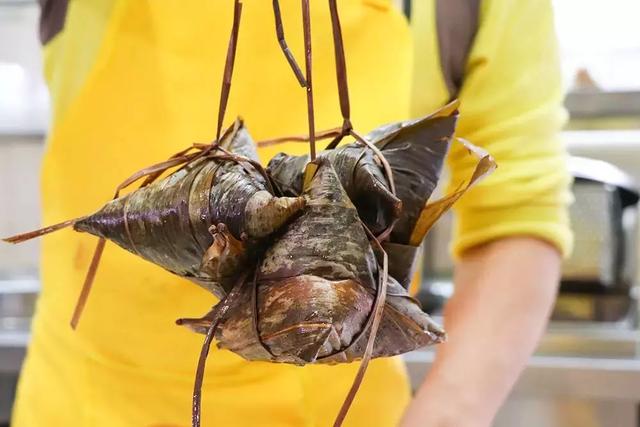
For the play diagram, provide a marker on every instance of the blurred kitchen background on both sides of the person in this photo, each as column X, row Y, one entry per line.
column 587, row 369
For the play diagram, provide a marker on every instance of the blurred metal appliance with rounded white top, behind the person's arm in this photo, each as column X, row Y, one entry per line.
column 598, row 279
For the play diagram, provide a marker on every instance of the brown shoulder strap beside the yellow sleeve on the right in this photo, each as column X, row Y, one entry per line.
column 457, row 23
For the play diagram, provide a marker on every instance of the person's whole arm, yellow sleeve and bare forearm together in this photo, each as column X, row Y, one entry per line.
column 512, row 229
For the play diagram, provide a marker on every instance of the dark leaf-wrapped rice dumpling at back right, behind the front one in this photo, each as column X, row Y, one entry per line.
column 415, row 151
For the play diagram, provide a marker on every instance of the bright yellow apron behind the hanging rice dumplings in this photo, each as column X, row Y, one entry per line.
column 152, row 90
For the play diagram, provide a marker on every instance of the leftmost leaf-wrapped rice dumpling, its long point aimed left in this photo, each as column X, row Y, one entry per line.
column 167, row 221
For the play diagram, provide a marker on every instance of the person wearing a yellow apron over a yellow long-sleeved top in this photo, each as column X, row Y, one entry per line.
column 132, row 82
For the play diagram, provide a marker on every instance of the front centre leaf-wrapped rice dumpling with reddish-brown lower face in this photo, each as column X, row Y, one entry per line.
column 334, row 272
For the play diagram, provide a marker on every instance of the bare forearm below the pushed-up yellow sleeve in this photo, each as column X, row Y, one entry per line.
column 504, row 292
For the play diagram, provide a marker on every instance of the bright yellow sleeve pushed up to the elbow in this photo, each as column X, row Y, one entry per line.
column 511, row 104
